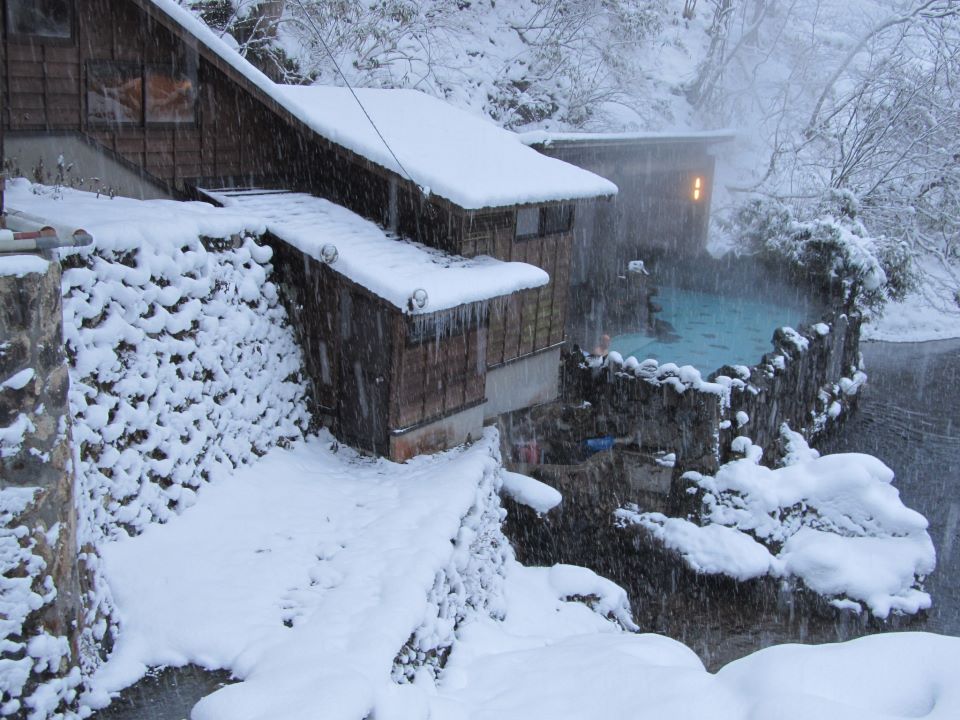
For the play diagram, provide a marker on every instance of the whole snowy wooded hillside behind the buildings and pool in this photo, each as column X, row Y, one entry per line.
column 827, row 97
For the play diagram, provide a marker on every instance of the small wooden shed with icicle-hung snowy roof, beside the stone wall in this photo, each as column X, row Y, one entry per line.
column 396, row 335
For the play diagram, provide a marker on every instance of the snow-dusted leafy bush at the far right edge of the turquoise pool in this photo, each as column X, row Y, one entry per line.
column 831, row 247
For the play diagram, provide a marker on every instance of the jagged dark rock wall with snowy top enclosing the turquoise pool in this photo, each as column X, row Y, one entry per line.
column 807, row 380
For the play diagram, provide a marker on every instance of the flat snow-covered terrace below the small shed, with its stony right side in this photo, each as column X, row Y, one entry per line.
column 305, row 574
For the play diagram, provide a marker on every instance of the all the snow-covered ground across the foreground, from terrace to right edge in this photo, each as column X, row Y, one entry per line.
column 307, row 572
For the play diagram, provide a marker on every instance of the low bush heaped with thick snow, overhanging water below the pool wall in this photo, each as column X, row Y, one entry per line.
column 835, row 522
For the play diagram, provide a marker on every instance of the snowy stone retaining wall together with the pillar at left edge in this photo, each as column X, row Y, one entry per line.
column 175, row 363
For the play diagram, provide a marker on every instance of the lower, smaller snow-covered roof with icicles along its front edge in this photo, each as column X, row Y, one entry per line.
column 389, row 267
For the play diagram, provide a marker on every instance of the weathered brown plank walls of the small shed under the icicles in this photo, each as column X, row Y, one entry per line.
column 371, row 372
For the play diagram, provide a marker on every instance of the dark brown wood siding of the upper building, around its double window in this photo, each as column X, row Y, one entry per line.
column 240, row 137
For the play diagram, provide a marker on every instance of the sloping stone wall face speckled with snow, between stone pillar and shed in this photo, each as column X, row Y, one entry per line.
column 181, row 365
